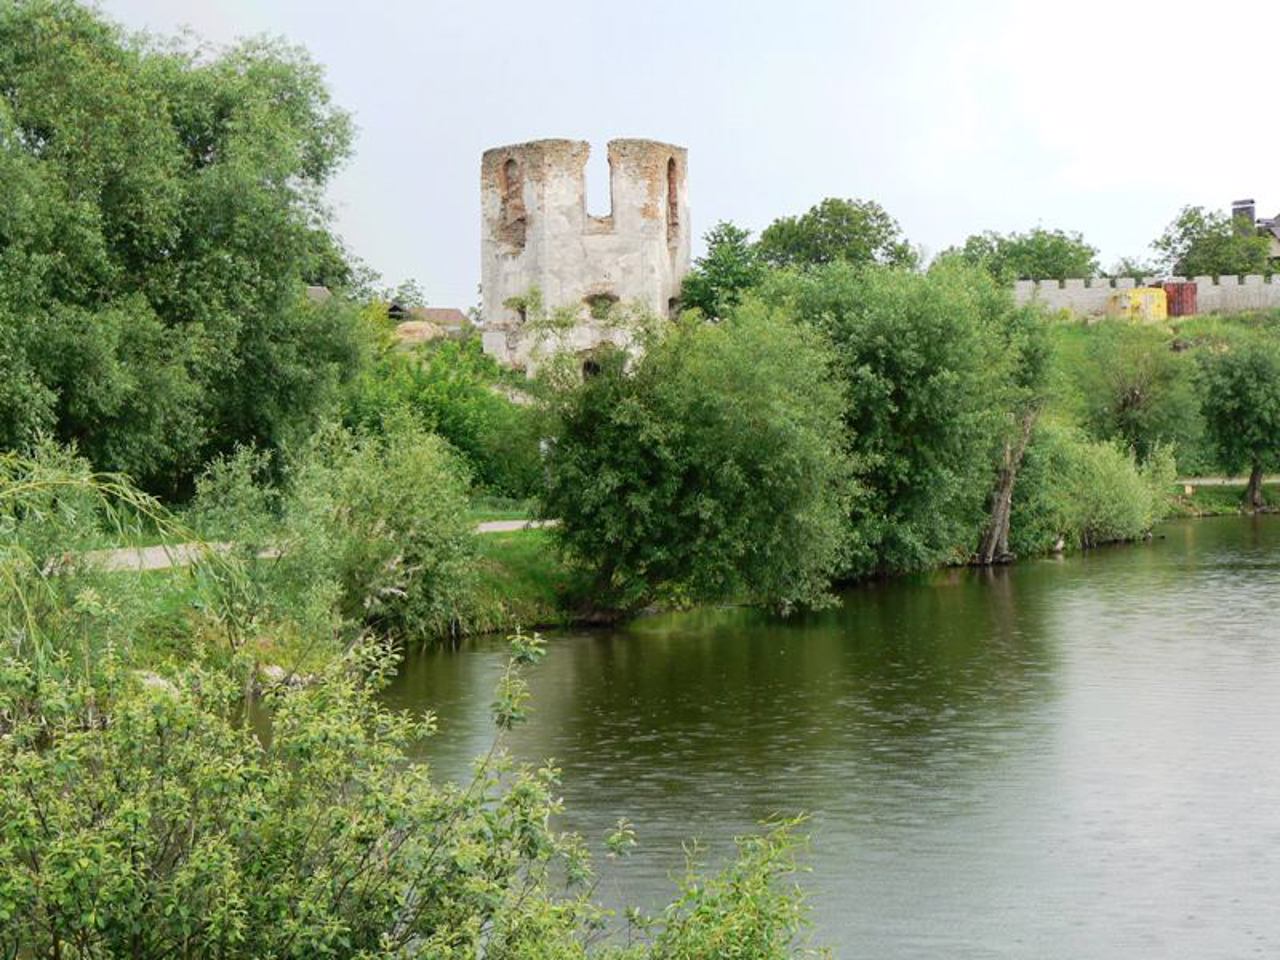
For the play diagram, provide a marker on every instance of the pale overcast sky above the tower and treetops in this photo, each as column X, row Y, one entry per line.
column 1094, row 116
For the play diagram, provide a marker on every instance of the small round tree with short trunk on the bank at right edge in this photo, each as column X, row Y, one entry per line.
column 1241, row 390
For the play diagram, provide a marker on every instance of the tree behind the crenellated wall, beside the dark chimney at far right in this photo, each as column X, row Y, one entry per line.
column 1208, row 244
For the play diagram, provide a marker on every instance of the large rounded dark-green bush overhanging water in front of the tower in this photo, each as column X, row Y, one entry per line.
column 711, row 469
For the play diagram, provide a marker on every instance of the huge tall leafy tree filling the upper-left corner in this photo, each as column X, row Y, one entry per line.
column 163, row 208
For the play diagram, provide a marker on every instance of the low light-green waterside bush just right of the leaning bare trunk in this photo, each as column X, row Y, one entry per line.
column 1085, row 493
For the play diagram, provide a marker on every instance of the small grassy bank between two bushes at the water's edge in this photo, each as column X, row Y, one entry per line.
column 524, row 583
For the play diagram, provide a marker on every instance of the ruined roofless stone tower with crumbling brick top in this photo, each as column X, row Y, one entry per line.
column 538, row 235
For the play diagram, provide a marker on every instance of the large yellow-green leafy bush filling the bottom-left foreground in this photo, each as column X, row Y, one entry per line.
column 173, row 829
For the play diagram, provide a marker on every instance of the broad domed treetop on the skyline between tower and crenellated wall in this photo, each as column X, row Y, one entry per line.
column 836, row 231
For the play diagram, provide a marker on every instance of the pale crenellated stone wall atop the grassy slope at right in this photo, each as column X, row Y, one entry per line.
column 1090, row 298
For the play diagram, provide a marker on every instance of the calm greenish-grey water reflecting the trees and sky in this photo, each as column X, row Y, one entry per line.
column 1068, row 758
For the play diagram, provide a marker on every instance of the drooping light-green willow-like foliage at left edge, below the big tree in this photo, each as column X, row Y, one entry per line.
column 61, row 610
